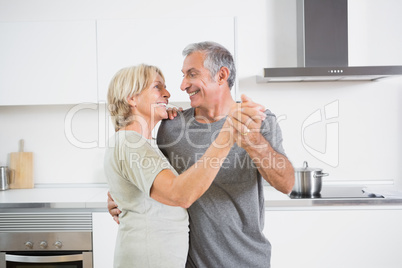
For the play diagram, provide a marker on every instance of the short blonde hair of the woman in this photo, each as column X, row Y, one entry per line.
column 126, row 83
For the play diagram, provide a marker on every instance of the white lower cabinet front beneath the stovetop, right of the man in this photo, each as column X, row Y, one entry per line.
column 335, row 238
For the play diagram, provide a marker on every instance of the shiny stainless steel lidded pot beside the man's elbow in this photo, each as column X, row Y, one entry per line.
column 308, row 181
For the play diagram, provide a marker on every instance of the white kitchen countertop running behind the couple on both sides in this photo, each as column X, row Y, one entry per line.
column 94, row 197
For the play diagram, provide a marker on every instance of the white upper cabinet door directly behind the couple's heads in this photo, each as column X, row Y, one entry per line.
column 159, row 42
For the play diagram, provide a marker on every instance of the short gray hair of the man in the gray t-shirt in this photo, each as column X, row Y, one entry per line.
column 216, row 57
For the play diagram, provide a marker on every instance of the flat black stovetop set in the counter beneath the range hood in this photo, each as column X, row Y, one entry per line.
column 339, row 192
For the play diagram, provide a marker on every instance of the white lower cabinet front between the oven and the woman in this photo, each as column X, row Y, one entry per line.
column 104, row 239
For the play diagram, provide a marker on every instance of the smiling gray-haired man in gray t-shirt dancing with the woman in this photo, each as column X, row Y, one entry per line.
column 226, row 222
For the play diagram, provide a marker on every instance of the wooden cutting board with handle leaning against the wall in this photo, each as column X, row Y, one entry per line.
column 21, row 164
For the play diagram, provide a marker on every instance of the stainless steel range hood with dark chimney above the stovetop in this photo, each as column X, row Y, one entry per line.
column 322, row 41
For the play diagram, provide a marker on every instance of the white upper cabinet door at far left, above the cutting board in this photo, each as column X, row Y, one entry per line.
column 48, row 62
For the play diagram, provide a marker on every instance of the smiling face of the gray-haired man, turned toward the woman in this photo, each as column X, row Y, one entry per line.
column 197, row 81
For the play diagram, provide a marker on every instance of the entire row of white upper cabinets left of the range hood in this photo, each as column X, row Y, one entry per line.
column 71, row 62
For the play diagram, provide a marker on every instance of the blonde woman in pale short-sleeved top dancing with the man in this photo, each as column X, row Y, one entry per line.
column 153, row 198
